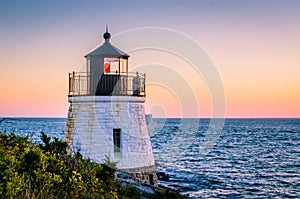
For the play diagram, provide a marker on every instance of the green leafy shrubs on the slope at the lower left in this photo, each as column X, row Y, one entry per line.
column 47, row 171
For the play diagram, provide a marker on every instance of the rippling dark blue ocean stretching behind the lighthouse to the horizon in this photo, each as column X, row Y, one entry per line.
column 249, row 158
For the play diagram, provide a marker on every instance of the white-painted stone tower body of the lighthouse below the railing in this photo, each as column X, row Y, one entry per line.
column 94, row 124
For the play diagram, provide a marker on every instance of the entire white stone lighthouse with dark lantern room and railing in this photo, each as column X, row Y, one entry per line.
column 106, row 116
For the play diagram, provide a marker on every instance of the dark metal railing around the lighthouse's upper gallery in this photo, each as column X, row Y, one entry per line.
column 128, row 84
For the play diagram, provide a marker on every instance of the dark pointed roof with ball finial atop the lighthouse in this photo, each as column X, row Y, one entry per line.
column 107, row 50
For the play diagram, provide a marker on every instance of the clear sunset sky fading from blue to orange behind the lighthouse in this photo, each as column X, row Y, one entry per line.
column 254, row 45
